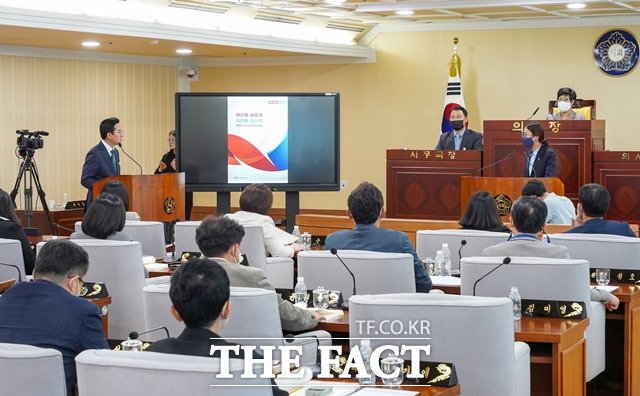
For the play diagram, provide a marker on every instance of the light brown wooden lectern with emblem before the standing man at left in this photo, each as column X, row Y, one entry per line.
column 153, row 197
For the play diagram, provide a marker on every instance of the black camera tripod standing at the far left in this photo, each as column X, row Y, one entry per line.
column 29, row 166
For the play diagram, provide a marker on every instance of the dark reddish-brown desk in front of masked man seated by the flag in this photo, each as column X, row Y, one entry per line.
column 425, row 184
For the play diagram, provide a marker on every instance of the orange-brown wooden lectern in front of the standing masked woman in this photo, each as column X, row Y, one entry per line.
column 511, row 187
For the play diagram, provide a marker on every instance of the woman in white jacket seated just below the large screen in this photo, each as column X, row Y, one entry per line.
column 255, row 203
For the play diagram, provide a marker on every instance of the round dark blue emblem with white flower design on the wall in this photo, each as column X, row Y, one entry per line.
column 616, row 52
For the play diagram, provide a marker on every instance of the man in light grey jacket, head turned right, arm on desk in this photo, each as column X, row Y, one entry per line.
column 219, row 240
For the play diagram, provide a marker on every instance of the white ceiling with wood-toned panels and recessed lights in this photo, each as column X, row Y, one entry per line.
column 222, row 29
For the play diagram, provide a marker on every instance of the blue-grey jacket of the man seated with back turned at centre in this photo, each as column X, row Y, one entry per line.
column 373, row 238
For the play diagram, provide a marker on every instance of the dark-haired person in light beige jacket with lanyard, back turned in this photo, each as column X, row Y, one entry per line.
column 527, row 219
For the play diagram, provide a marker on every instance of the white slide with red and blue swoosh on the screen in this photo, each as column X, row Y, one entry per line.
column 258, row 139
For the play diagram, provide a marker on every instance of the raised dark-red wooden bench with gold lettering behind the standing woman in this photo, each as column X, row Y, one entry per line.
column 573, row 142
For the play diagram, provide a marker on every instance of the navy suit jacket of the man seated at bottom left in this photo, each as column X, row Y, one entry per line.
column 45, row 315
